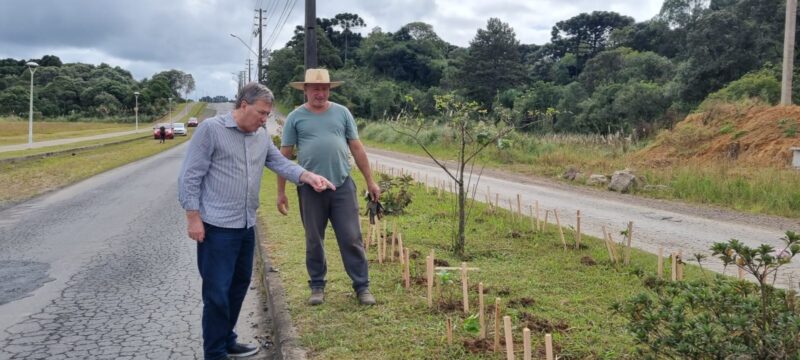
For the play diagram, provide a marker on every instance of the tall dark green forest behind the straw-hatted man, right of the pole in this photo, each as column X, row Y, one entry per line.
column 601, row 72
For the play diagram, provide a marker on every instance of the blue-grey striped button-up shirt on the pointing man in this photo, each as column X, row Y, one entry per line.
column 221, row 174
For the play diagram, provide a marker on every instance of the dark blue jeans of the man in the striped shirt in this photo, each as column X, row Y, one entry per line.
column 225, row 260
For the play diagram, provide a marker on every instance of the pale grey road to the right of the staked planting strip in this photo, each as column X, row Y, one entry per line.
column 671, row 225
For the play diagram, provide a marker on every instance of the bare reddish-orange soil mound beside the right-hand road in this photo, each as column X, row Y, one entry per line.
column 746, row 134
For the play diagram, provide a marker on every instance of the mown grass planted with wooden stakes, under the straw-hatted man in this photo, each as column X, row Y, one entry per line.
column 516, row 264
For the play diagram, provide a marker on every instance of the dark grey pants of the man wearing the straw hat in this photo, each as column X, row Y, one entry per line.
column 341, row 208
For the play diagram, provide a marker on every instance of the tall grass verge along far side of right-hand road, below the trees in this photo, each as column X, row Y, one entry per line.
column 763, row 190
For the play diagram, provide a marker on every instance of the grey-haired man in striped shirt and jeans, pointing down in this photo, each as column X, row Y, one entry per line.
column 218, row 187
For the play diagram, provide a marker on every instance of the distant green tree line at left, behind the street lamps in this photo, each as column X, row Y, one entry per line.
column 77, row 90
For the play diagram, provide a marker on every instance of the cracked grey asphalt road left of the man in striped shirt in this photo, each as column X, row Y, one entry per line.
column 103, row 269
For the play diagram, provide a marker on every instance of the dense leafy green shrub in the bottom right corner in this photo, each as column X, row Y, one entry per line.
column 721, row 318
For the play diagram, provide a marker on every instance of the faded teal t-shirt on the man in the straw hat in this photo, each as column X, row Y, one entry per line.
column 321, row 140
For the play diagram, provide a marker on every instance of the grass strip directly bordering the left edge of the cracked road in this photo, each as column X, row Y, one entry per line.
column 28, row 179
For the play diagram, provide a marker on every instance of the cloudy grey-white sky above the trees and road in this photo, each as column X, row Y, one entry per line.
column 149, row 36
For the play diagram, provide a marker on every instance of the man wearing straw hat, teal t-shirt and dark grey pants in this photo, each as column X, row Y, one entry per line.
column 323, row 132
